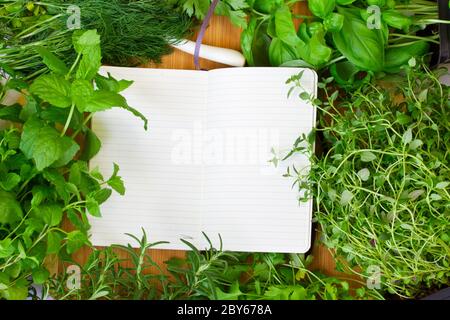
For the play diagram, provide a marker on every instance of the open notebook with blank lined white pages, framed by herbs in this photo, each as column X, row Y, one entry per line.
column 204, row 164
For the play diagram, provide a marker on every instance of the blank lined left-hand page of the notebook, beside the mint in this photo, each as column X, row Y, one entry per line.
column 163, row 184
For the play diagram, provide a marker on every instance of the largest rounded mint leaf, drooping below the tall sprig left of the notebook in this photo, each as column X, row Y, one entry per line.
column 41, row 143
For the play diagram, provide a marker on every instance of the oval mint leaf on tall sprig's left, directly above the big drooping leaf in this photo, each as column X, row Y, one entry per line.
column 53, row 89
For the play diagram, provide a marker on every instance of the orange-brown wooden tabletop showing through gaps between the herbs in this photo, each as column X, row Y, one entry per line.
column 221, row 33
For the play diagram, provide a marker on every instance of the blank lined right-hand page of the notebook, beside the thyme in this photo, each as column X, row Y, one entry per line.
column 248, row 201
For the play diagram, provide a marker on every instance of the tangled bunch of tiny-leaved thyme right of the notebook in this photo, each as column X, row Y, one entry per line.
column 381, row 186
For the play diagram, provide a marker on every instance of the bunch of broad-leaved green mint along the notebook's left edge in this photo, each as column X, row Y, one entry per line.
column 44, row 175
